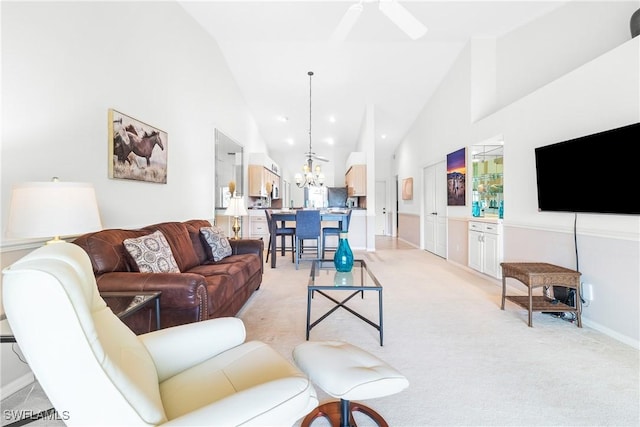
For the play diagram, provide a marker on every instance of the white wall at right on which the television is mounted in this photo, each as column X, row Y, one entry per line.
column 562, row 91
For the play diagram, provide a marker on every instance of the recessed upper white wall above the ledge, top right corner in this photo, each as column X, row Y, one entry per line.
column 548, row 48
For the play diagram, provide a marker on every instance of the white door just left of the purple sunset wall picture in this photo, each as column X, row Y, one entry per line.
column 435, row 209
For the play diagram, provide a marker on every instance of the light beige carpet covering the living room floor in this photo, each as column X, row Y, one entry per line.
column 468, row 362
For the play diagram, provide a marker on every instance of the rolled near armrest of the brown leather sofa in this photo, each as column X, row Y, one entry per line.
column 179, row 290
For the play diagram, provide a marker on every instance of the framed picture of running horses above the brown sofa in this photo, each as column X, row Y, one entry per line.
column 137, row 151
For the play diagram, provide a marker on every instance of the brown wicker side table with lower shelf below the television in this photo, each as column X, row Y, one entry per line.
column 535, row 275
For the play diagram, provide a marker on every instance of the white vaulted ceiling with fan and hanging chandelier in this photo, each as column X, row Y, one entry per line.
column 271, row 45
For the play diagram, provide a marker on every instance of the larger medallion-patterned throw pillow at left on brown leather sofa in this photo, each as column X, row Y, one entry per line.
column 152, row 253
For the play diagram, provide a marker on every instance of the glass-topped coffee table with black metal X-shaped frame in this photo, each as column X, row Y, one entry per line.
column 324, row 278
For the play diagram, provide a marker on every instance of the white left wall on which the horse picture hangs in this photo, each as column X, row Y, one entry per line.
column 64, row 64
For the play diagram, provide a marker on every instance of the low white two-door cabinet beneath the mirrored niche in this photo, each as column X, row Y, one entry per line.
column 485, row 247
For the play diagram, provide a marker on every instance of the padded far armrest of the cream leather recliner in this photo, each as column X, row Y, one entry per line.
column 180, row 347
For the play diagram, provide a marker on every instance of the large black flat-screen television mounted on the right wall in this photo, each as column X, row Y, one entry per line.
column 595, row 173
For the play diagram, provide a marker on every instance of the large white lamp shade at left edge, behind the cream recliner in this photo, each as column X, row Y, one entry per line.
column 51, row 209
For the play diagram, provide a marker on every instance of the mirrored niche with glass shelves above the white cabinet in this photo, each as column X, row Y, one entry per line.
column 487, row 182
